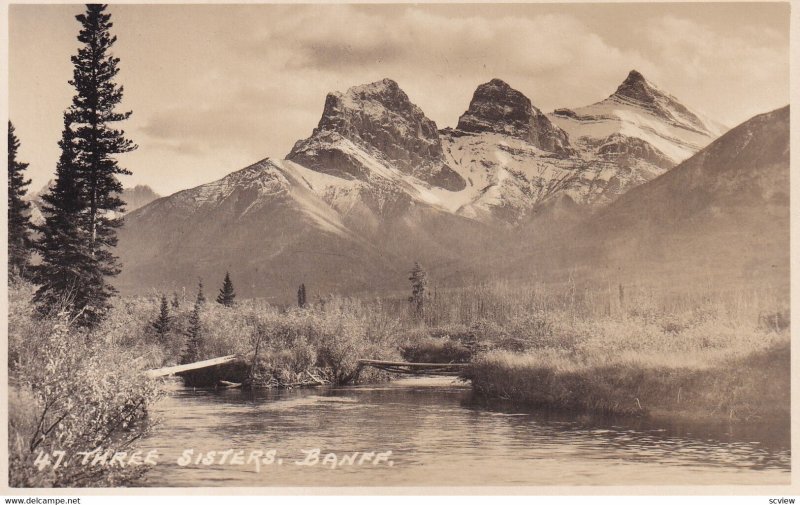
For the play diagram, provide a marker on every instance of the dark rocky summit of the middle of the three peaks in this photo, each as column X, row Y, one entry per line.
column 496, row 107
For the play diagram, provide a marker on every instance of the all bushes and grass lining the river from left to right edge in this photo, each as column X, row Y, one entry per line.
column 614, row 350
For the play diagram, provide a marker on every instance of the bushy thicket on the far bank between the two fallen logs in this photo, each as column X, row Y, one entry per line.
column 324, row 341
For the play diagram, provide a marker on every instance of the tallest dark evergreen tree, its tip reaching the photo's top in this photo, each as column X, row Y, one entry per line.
column 96, row 143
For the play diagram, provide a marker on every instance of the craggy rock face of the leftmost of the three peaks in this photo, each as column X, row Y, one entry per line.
column 379, row 120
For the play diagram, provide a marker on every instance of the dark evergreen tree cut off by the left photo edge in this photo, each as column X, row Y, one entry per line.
column 19, row 244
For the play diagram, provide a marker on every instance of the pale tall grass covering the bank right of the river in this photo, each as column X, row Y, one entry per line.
column 628, row 350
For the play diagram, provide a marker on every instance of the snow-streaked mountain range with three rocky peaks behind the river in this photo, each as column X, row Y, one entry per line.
column 508, row 191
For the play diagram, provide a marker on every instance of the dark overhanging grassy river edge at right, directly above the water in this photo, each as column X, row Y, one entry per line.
column 711, row 385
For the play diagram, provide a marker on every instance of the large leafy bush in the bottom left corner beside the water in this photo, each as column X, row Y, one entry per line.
column 72, row 391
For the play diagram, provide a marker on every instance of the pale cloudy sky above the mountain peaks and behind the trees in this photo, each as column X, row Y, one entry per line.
column 214, row 88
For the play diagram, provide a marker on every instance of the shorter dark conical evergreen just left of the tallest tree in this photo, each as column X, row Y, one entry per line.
column 66, row 268
